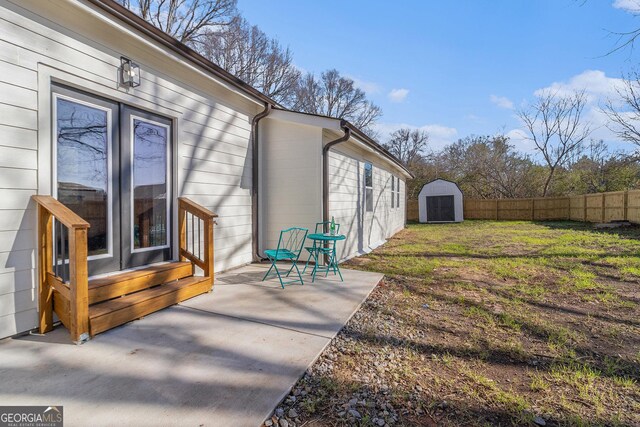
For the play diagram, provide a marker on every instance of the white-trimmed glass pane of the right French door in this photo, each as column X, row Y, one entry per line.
column 149, row 168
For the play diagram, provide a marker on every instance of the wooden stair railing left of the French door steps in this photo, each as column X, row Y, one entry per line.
column 76, row 294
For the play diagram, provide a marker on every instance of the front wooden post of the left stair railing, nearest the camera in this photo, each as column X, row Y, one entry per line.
column 78, row 285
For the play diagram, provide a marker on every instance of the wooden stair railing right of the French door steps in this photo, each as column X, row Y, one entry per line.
column 204, row 258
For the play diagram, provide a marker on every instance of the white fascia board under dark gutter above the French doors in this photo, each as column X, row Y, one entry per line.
column 120, row 27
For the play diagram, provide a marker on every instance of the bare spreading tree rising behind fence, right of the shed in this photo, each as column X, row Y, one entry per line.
column 556, row 126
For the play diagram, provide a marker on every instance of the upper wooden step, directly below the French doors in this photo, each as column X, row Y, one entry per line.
column 106, row 288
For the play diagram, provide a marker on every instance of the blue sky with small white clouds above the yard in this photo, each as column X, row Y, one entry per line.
column 457, row 68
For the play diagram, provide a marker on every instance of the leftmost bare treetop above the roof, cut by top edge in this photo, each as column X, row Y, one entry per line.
column 186, row 20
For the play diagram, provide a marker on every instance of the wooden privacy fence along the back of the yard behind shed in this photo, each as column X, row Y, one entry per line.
column 598, row 207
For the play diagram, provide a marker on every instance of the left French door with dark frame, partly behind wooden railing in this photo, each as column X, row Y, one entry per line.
column 86, row 162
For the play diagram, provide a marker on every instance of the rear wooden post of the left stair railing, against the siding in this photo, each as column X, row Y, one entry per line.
column 45, row 265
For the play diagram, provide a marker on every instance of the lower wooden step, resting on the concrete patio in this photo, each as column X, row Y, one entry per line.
column 109, row 314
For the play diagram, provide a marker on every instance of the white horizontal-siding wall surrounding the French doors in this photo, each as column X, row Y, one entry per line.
column 67, row 42
